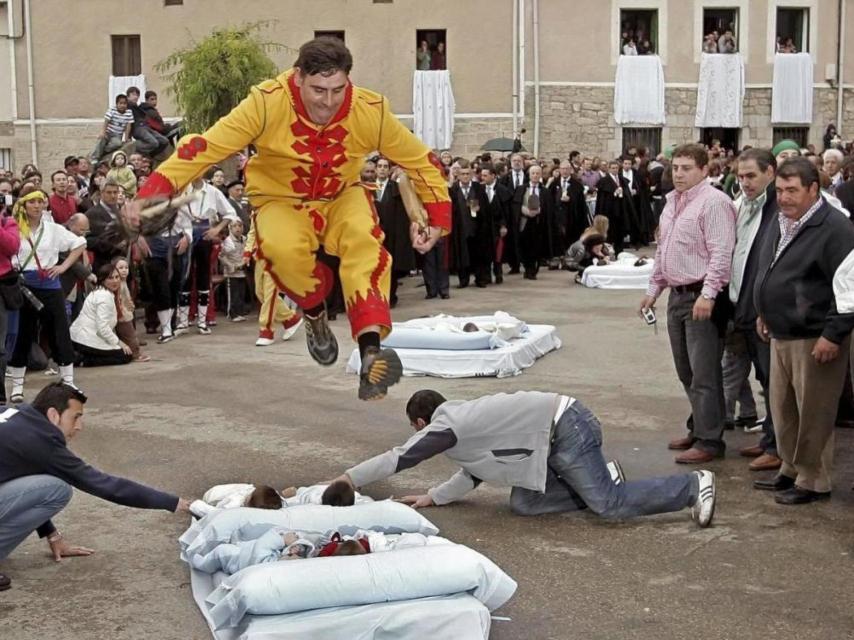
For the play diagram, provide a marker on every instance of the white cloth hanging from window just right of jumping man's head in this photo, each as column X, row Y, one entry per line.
column 433, row 107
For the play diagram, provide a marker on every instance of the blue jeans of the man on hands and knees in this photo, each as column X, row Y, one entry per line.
column 578, row 476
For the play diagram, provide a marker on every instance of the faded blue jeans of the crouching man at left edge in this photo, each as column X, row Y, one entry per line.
column 26, row 503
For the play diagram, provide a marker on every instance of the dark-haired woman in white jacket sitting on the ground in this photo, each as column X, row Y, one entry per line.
column 94, row 331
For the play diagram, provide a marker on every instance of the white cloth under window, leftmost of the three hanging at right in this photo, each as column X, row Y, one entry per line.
column 639, row 90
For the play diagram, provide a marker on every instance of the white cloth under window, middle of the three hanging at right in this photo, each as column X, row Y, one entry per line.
column 720, row 94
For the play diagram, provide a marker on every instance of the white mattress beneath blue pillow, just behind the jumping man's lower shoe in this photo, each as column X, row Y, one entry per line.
column 502, row 363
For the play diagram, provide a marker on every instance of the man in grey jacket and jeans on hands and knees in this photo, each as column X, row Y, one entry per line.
column 546, row 446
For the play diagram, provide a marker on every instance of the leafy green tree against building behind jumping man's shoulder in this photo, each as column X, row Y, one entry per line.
column 210, row 77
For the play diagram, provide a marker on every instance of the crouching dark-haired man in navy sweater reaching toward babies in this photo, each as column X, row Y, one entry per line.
column 37, row 472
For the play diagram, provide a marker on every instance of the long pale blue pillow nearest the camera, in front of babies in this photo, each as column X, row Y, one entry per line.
column 317, row 583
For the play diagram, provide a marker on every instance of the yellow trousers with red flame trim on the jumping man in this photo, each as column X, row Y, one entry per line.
column 289, row 234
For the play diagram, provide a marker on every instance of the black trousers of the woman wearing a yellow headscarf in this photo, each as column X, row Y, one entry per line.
column 53, row 320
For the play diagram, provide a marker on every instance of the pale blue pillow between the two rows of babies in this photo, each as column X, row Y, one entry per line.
column 245, row 523
